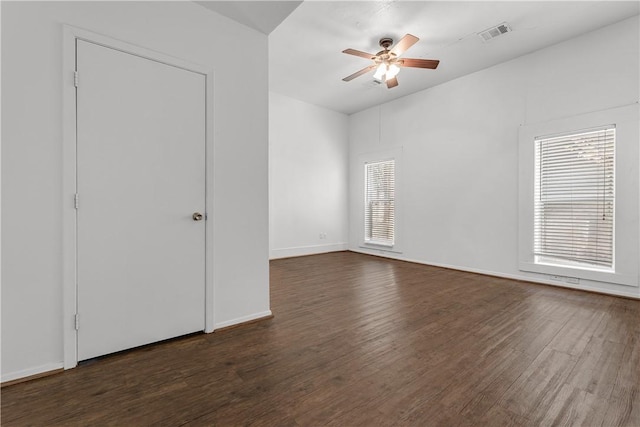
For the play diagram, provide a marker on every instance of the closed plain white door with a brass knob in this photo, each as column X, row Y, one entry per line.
column 140, row 179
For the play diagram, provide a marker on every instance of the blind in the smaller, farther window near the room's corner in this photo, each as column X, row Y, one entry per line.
column 379, row 202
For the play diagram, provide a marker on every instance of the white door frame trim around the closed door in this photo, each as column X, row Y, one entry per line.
column 69, row 178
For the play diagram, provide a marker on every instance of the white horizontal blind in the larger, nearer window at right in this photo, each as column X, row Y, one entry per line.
column 574, row 198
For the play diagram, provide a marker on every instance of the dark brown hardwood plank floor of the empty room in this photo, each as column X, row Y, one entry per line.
column 360, row 340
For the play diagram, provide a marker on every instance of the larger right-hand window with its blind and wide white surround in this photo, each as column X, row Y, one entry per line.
column 578, row 199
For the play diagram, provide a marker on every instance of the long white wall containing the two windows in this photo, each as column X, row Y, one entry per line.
column 460, row 148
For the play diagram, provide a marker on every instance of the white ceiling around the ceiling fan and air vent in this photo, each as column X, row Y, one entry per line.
column 305, row 50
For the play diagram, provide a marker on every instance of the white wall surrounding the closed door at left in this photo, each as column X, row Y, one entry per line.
column 32, row 159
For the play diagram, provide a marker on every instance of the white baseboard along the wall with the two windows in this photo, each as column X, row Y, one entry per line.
column 518, row 277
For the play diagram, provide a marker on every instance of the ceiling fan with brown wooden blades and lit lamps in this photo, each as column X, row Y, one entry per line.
column 388, row 62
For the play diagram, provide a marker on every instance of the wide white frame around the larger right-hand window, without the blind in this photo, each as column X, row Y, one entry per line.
column 626, row 176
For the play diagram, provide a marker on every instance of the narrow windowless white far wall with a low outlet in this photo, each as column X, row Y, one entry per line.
column 308, row 179
